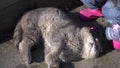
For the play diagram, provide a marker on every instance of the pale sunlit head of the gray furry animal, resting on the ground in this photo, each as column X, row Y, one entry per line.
column 91, row 44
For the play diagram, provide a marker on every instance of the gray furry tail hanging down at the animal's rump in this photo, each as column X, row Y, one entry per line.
column 17, row 37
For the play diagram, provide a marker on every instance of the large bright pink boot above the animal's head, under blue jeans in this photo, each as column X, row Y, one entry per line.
column 90, row 14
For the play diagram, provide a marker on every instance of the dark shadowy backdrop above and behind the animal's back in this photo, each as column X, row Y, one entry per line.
column 12, row 10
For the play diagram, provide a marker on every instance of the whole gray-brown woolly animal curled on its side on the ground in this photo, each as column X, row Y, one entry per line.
column 63, row 40
